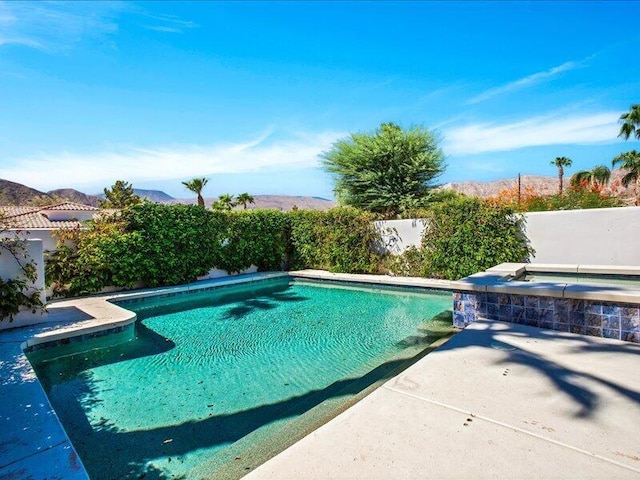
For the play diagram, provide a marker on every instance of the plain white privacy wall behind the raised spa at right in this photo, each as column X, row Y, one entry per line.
column 604, row 236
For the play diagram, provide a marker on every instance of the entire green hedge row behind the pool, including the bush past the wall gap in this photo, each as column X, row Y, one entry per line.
column 153, row 244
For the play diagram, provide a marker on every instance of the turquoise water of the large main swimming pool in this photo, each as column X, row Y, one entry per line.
column 212, row 378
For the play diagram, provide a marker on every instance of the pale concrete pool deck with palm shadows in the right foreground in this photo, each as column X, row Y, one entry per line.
column 498, row 400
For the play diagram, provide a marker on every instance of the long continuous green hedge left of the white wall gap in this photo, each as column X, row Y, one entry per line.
column 157, row 244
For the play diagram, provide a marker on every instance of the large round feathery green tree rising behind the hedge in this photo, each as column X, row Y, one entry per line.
column 387, row 171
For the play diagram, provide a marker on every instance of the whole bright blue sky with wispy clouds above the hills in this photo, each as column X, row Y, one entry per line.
column 250, row 93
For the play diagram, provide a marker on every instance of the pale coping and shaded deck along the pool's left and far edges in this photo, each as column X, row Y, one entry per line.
column 89, row 316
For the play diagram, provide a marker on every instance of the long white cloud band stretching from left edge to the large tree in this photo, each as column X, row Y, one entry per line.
column 134, row 164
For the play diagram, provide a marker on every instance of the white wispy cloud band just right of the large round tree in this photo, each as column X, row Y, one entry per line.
column 537, row 131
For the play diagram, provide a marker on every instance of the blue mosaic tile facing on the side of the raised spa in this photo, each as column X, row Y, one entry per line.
column 620, row 321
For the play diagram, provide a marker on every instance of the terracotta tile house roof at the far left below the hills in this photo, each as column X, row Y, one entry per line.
column 18, row 217
